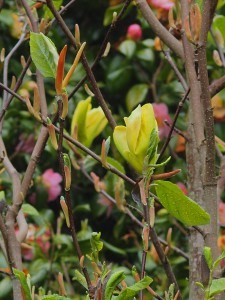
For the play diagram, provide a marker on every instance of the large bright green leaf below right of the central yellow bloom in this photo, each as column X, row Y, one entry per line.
column 180, row 206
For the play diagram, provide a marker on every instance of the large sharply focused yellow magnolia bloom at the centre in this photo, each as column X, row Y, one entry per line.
column 133, row 140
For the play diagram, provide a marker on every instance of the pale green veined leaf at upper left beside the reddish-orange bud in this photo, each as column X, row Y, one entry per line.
column 44, row 54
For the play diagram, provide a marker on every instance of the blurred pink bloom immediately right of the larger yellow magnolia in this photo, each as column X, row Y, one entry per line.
column 161, row 114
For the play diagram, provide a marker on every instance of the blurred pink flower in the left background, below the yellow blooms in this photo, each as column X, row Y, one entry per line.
column 51, row 181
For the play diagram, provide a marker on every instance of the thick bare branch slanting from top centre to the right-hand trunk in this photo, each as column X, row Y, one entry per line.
column 159, row 29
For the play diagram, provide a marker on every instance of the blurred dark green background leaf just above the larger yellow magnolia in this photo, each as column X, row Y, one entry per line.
column 136, row 95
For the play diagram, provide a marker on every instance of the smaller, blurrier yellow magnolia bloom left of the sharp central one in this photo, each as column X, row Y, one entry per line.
column 87, row 123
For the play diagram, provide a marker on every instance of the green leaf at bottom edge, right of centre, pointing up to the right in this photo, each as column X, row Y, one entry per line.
column 131, row 291
